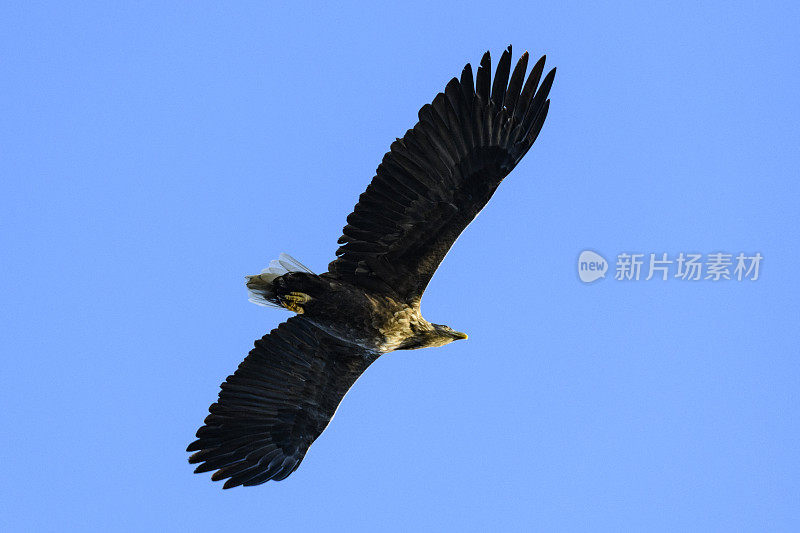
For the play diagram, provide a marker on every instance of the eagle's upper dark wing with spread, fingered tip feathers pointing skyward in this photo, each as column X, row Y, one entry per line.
column 437, row 178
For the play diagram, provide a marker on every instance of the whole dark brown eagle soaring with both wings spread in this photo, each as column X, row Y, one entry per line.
column 428, row 188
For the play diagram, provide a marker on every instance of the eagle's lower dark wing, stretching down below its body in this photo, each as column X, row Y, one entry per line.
column 276, row 404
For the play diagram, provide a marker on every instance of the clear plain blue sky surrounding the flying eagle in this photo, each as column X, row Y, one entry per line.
column 153, row 155
